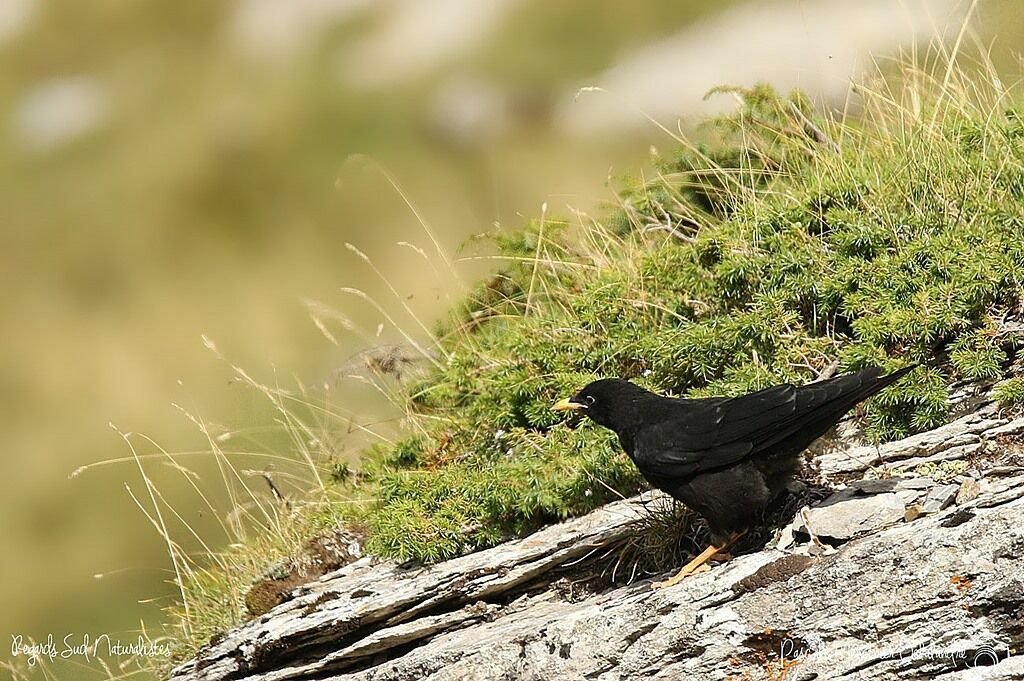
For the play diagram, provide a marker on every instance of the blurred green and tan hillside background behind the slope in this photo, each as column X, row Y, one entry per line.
column 174, row 169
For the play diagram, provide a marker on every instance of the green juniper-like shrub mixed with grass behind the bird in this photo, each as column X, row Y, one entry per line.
column 784, row 243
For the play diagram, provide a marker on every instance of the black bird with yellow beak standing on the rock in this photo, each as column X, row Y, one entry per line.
column 726, row 458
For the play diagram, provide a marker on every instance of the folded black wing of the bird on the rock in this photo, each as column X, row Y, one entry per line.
column 698, row 436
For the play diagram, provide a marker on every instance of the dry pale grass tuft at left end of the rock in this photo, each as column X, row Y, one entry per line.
column 278, row 503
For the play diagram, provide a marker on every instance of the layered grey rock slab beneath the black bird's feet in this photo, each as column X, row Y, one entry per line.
column 929, row 599
